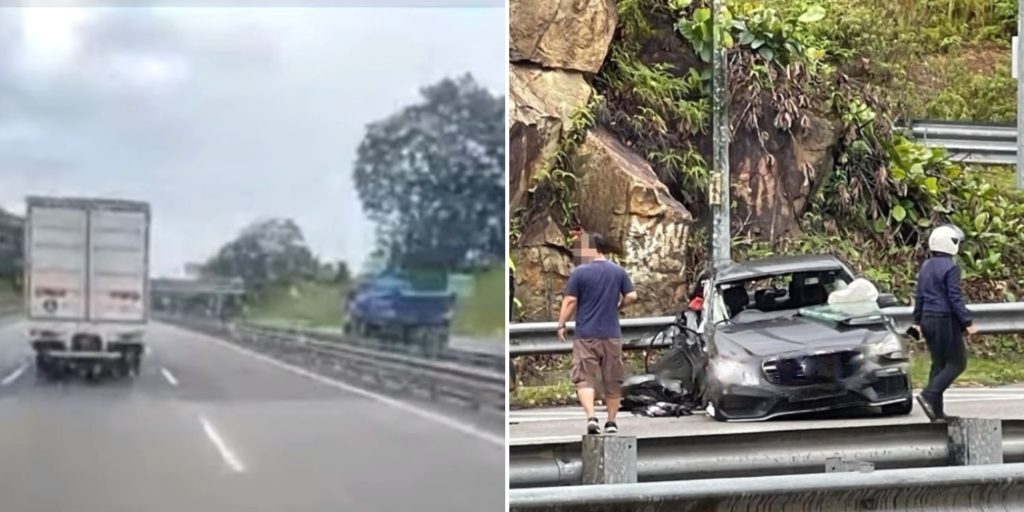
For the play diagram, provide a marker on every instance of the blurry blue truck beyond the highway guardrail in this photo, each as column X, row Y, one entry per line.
column 403, row 311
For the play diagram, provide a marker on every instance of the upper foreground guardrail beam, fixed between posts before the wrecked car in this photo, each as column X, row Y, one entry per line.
column 759, row 454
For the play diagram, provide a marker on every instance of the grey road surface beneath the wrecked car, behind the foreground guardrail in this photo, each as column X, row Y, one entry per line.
column 535, row 426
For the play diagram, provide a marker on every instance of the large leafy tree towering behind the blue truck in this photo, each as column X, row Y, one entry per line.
column 433, row 178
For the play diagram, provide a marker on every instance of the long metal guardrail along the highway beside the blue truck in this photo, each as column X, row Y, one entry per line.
column 485, row 391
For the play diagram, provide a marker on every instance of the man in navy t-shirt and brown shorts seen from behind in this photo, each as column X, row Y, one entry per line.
column 598, row 290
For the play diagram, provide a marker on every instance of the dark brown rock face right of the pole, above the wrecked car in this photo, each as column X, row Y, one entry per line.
column 773, row 181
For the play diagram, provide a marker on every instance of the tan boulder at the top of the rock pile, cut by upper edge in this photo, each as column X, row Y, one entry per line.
column 563, row 34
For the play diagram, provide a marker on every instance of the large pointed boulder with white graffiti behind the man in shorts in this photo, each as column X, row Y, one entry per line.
column 621, row 197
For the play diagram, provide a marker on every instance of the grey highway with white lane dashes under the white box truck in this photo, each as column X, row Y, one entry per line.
column 211, row 426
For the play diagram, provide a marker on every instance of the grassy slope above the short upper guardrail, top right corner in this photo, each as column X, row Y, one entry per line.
column 936, row 59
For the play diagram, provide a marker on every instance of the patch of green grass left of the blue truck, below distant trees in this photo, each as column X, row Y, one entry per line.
column 308, row 305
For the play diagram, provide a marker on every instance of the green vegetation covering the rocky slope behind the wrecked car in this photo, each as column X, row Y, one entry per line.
column 834, row 57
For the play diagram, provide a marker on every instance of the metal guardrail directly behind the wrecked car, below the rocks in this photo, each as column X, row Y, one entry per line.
column 540, row 338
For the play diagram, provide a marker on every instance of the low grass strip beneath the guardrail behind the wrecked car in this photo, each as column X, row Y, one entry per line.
column 556, row 390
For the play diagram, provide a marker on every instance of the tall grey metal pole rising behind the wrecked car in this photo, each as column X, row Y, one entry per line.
column 718, row 194
